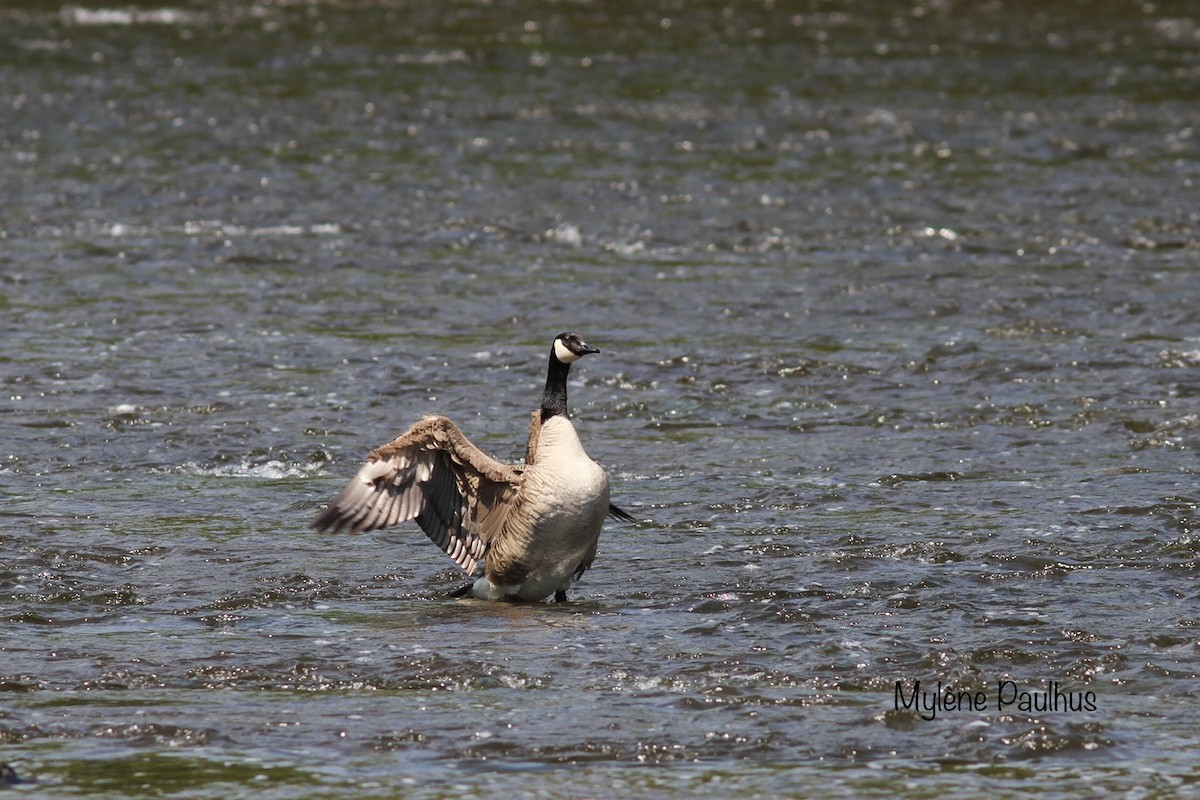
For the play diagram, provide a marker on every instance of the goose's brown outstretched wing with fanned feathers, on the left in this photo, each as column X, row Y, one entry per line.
column 459, row 495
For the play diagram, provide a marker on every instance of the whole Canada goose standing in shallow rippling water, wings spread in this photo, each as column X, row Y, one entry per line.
column 535, row 527
